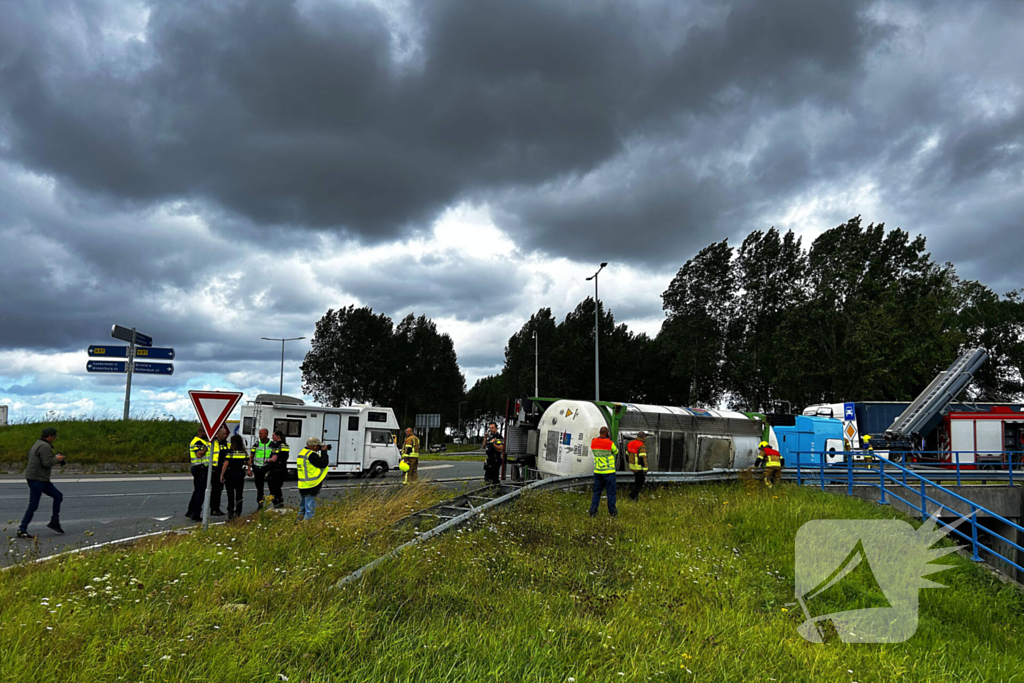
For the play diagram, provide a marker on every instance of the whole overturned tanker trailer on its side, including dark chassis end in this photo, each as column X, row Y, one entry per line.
column 551, row 437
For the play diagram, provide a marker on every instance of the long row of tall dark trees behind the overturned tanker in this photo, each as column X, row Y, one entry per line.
column 862, row 315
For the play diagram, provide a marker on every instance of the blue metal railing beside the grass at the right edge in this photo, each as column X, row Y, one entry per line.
column 894, row 481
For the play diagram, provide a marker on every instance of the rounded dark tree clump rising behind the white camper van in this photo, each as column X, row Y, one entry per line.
column 360, row 357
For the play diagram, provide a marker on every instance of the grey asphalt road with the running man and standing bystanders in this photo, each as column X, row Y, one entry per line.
column 98, row 509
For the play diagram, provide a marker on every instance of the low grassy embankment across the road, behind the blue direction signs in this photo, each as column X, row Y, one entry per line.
column 97, row 442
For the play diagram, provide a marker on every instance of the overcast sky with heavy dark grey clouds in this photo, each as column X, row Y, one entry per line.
column 214, row 173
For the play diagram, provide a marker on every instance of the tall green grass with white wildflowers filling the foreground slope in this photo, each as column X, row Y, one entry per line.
column 689, row 585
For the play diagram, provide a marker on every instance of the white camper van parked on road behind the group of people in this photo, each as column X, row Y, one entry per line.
column 363, row 439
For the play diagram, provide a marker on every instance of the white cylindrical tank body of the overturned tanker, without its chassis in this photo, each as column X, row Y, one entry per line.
column 679, row 439
